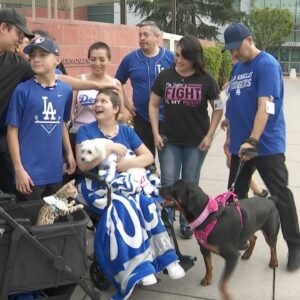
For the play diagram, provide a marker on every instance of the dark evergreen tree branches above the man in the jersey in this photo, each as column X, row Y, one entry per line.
column 195, row 17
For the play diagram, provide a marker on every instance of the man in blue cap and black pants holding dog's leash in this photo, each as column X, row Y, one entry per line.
column 257, row 129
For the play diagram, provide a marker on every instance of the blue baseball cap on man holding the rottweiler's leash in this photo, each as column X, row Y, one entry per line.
column 234, row 34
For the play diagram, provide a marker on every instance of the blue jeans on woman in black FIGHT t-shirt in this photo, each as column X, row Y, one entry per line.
column 178, row 159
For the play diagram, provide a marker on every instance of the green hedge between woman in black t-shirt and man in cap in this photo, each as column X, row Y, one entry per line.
column 218, row 64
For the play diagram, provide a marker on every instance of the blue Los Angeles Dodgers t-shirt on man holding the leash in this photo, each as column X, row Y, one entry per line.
column 260, row 77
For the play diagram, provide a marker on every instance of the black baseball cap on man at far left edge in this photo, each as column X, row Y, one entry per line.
column 11, row 16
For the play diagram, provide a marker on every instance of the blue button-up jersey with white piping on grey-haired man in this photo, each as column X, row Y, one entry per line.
column 142, row 71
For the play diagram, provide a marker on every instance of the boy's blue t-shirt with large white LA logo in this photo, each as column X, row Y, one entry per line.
column 39, row 114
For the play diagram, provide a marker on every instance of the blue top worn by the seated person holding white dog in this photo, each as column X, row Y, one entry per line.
column 126, row 135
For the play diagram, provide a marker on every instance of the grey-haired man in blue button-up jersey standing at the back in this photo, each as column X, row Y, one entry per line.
column 141, row 67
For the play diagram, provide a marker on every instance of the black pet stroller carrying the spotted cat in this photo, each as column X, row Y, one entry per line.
column 50, row 259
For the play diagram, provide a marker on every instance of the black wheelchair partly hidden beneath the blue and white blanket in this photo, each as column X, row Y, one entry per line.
column 96, row 274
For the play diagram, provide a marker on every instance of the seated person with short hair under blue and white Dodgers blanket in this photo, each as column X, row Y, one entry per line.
column 131, row 242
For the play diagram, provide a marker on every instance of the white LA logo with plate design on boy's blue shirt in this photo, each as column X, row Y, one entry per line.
column 50, row 119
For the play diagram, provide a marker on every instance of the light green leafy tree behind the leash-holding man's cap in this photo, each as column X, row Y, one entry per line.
column 269, row 26
